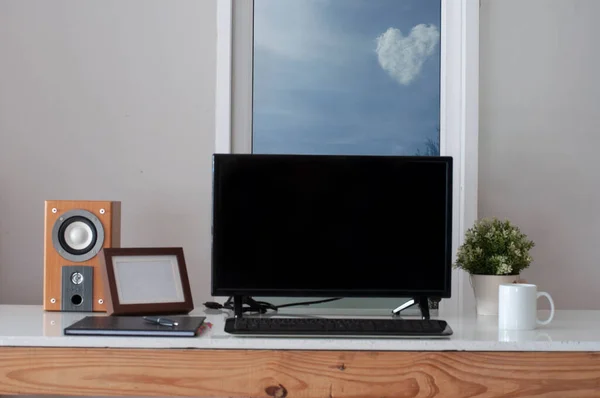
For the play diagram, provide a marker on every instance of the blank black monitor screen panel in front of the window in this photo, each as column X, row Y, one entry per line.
column 321, row 225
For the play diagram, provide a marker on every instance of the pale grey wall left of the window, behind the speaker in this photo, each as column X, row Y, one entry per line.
column 110, row 99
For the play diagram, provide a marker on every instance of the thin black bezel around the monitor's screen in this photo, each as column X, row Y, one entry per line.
column 354, row 293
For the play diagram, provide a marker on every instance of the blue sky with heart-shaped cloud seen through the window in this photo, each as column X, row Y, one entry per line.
column 346, row 76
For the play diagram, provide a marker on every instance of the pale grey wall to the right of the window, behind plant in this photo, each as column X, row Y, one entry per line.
column 539, row 137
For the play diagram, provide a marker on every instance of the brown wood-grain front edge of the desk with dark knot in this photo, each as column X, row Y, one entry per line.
column 245, row 373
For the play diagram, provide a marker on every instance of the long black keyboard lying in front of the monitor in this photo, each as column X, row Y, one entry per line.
column 337, row 326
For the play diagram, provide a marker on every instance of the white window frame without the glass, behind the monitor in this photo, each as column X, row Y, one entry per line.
column 459, row 111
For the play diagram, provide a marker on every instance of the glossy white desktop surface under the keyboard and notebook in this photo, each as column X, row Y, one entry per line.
column 30, row 326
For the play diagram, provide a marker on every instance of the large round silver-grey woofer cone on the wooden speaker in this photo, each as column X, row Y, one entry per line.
column 78, row 235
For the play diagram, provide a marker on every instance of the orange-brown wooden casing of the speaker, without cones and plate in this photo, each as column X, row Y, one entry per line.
column 111, row 221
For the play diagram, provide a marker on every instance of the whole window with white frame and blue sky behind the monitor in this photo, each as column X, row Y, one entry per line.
column 354, row 76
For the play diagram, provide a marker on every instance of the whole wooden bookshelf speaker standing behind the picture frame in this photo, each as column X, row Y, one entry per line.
column 74, row 234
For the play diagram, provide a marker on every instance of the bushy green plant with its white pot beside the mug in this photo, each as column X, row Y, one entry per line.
column 494, row 252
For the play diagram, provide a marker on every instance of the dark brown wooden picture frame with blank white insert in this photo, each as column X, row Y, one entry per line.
column 146, row 281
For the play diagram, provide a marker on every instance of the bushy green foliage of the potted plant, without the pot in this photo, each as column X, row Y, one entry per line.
column 494, row 247
